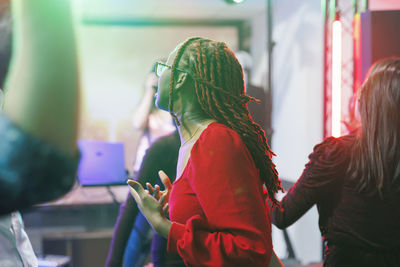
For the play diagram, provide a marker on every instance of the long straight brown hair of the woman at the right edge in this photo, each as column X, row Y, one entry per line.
column 375, row 157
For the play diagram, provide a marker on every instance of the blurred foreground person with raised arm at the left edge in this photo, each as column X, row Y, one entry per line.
column 38, row 126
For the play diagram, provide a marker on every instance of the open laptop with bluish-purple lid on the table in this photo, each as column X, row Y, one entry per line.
column 102, row 163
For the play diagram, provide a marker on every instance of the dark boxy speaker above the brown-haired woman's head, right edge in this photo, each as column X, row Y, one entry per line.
column 380, row 37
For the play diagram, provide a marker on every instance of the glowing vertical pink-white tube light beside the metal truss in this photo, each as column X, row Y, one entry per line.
column 336, row 78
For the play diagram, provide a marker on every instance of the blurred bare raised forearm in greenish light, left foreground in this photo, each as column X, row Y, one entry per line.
column 42, row 85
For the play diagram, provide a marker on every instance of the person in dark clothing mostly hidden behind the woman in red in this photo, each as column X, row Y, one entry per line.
column 132, row 249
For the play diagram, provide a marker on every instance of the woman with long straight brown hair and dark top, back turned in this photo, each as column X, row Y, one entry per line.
column 355, row 180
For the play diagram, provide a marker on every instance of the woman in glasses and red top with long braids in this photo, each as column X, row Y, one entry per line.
column 216, row 205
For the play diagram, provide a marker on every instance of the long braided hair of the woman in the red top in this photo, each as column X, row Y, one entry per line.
column 219, row 87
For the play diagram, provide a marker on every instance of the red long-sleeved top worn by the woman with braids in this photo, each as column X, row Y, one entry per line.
column 217, row 206
